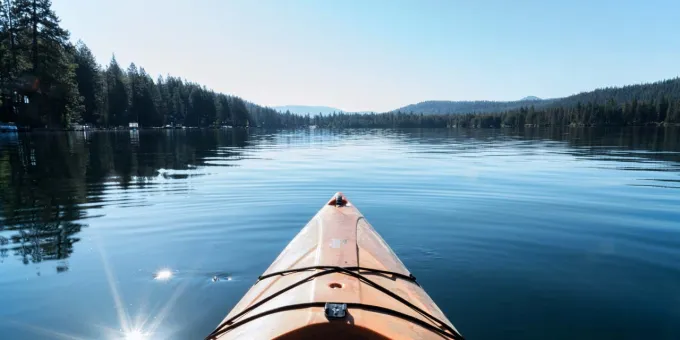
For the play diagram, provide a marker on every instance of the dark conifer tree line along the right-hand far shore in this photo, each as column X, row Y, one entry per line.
column 639, row 105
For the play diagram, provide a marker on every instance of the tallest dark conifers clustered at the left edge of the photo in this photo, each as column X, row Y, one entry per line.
column 37, row 73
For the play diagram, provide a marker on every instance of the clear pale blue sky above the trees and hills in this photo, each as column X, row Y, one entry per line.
column 380, row 55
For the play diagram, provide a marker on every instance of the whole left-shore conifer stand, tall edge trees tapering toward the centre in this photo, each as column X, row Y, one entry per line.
column 45, row 80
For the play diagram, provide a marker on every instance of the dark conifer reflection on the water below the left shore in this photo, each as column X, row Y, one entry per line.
column 50, row 182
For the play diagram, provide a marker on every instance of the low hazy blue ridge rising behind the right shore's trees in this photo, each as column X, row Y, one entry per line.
column 478, row 106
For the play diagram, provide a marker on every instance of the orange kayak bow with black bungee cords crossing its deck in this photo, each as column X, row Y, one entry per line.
column 337, row 279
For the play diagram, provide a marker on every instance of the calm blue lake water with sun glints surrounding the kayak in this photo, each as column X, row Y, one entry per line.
column 540, row 234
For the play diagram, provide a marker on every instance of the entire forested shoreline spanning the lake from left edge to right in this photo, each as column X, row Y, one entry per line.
column 47, row 81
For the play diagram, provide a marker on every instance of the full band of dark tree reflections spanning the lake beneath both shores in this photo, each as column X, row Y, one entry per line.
column 51, row 182
